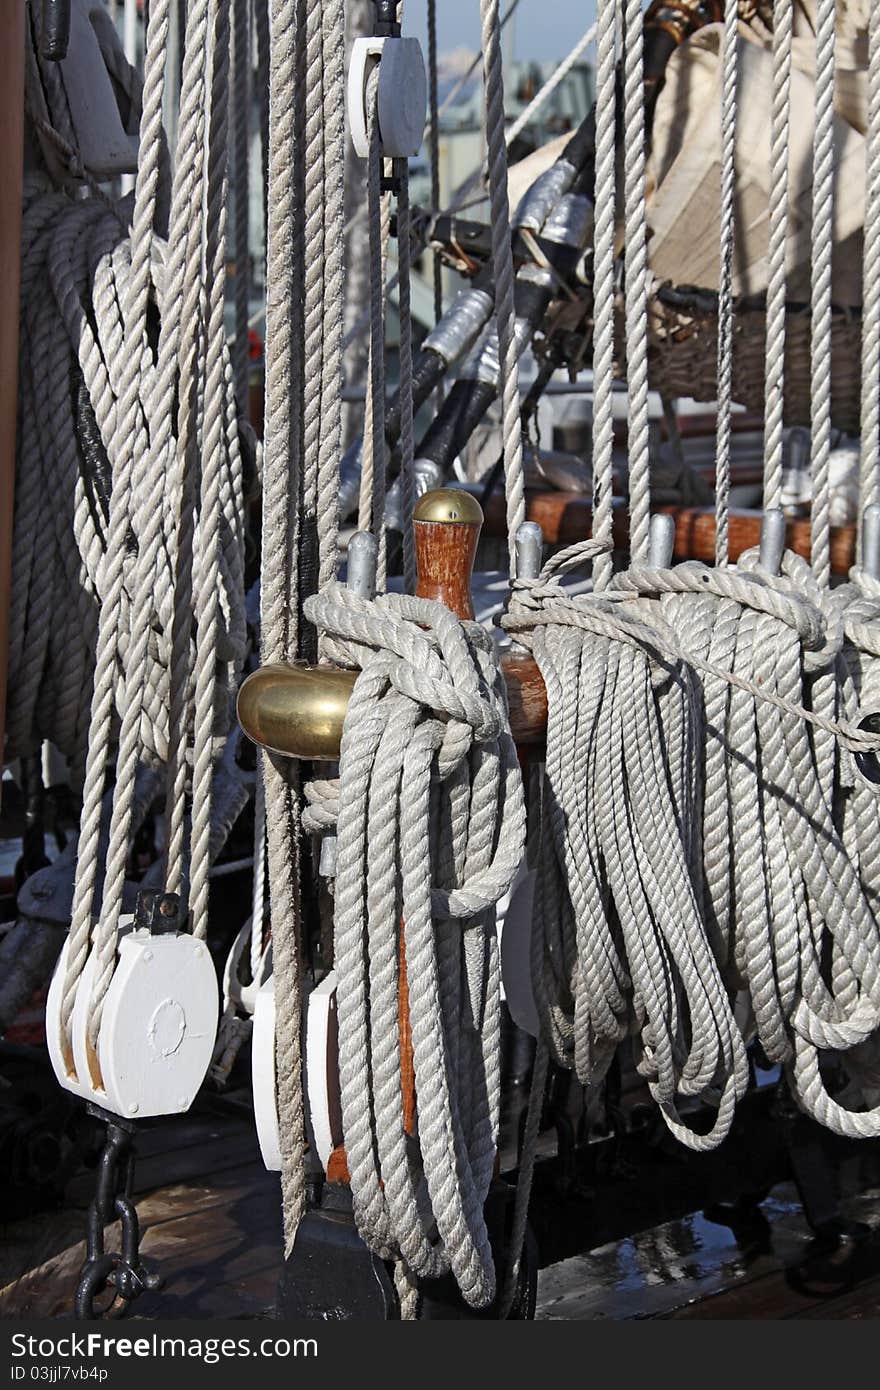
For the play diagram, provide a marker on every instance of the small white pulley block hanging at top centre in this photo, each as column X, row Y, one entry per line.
column 402, row 95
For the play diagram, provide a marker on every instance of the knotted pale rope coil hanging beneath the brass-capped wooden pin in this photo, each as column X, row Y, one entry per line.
column 430, row 821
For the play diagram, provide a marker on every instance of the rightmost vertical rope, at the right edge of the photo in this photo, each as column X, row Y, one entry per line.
column 870, row 471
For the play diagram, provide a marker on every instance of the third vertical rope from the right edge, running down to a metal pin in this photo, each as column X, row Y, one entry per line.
column 775, row 362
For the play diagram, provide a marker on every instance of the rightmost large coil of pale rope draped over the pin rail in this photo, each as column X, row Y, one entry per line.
column 785, row 824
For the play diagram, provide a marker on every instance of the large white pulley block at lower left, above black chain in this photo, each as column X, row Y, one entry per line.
column 158, row 1029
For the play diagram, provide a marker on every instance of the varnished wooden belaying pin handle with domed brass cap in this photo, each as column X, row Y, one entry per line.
column 447, row 529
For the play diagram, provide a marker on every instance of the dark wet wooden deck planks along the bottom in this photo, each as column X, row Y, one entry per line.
column 212, row 1223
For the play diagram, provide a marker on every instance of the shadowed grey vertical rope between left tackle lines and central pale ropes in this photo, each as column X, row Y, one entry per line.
column 241, row 106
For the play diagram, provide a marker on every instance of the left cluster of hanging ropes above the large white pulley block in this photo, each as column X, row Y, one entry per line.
column 130, row 459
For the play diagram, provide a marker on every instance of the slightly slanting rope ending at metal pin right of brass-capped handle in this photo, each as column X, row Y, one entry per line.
column 503, row 262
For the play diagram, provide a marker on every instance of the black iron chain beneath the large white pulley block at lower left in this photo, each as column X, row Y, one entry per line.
column 122, row 1271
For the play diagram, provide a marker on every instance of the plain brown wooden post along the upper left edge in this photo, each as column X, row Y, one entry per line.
column 12, row 151
